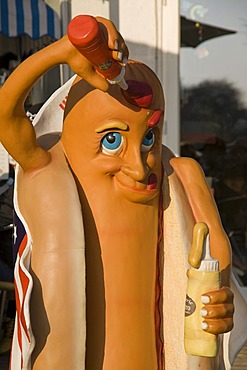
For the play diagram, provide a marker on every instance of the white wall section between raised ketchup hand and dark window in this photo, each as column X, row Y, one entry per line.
column 151, row 30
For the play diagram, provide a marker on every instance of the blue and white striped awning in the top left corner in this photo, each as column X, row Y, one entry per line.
column 28, row 17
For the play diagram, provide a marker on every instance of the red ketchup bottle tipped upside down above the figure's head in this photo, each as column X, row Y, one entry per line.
column 85, row 34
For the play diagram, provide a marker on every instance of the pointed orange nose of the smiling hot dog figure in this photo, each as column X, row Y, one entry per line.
column 136, row 168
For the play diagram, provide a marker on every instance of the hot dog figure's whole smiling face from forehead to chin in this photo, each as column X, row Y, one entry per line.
column 115, row 146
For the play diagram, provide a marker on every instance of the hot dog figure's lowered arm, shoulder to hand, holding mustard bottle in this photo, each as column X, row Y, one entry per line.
column 218, row 304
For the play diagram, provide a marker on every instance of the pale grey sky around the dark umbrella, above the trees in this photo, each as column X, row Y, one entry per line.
column 222, row 57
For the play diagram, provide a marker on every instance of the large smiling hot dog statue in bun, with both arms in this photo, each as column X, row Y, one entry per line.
column 109, row 214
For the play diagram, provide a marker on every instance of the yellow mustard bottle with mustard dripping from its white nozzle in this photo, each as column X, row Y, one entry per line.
column 203, row 275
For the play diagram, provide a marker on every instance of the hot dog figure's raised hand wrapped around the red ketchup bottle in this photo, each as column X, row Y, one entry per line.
column 83, row 67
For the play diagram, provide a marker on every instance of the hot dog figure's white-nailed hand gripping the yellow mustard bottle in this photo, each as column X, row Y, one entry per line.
column 218, row 311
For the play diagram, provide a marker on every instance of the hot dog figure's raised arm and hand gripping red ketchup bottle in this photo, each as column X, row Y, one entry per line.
column 16, row 131
